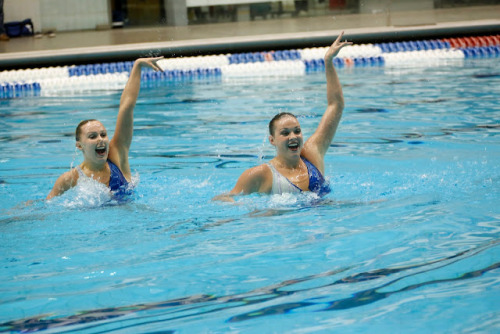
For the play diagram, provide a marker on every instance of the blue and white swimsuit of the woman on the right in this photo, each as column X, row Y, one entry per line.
column 317, row 182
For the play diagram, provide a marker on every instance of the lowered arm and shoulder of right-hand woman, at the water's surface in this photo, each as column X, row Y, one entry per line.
column 254, row 180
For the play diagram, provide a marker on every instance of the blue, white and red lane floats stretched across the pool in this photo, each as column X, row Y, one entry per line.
column 113, row 76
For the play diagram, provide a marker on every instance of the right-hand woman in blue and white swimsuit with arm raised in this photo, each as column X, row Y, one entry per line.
column 297, row 166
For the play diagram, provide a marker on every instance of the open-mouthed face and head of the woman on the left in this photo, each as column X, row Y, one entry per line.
column 94, row 141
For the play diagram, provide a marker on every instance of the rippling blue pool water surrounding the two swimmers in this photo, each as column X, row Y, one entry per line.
column 408, row 240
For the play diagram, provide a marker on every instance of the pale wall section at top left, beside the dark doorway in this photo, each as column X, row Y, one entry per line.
column 60, row 15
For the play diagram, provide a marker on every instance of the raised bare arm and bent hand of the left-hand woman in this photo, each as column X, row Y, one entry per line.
column 122, row 138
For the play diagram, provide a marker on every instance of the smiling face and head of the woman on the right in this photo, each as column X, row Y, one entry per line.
column 287, row 136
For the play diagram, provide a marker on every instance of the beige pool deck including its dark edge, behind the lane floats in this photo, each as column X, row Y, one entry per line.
column 128, row 43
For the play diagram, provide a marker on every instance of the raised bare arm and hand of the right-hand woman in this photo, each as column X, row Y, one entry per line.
column 317, row 145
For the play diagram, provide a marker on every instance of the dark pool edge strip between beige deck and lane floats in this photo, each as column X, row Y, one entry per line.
column 240, row 44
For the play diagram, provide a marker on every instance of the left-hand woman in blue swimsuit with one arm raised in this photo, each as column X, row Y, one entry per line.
column 106, row 161
